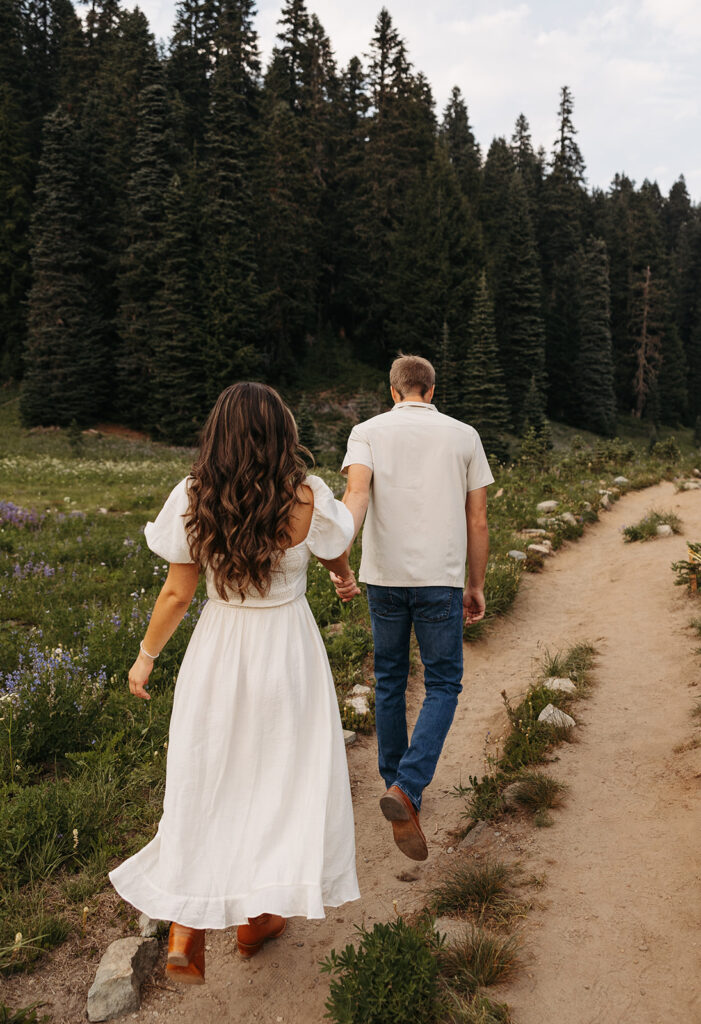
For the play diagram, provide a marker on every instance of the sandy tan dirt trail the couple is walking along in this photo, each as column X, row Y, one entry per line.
column 614, row 935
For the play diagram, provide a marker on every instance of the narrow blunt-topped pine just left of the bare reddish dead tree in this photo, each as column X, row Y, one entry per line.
column 595, row 374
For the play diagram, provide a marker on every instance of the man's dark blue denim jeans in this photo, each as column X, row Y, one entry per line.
column 437, row 617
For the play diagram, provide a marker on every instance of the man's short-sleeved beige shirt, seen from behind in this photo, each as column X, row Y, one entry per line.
column 424, row 464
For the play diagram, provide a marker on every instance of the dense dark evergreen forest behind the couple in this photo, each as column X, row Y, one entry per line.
column 174, row 220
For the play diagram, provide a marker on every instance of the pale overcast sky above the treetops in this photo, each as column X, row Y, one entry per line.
column 635, row 69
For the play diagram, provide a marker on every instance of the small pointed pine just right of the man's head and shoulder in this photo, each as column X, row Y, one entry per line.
column 486, row 400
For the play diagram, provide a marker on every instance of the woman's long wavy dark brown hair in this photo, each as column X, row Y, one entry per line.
column 244, row 486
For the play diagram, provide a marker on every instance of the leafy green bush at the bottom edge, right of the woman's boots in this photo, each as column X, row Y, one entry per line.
column 390, row 976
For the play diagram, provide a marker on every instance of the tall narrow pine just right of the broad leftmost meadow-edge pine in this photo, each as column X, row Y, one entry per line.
column 139, row 280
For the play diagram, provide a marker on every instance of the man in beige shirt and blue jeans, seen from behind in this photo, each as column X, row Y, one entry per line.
column 422, row 478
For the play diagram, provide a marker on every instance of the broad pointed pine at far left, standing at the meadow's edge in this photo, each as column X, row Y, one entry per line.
column 65, row 367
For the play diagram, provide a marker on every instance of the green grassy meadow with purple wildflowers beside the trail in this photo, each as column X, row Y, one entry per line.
column 82, row 763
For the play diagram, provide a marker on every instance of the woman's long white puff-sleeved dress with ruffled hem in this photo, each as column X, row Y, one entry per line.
column 257, row 813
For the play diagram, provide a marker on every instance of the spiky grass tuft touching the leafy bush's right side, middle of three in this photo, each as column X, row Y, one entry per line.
column 478, row 959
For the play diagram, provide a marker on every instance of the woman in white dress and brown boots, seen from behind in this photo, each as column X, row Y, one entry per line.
column 258, row 823
